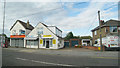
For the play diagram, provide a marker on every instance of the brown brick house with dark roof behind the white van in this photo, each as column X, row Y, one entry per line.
column 110, row 27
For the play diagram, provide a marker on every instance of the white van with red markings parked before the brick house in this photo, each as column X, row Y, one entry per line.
column 109, row 42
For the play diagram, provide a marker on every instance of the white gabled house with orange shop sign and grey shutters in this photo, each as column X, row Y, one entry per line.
column 18, row 32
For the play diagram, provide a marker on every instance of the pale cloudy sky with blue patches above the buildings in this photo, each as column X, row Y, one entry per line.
column 80, row 17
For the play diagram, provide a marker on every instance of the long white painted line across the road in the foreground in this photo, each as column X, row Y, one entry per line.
column 44, row 62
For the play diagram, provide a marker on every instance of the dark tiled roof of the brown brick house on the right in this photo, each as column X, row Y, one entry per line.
column 108, row 23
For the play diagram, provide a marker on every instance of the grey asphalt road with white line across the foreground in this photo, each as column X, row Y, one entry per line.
column 15, row 58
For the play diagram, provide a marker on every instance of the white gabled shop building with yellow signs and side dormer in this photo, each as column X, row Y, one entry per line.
column 43, row 36
